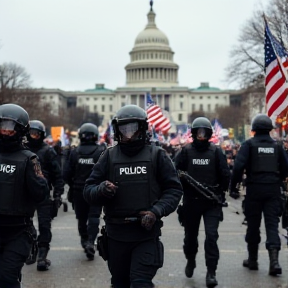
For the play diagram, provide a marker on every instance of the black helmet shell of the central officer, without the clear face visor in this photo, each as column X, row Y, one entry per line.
column 130, row 114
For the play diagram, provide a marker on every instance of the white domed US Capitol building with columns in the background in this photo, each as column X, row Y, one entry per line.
column 151, row 69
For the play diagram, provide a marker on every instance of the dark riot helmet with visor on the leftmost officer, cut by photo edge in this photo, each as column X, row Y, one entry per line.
column 14, row 123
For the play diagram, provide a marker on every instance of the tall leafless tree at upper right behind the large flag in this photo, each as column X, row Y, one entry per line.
column 247, row 57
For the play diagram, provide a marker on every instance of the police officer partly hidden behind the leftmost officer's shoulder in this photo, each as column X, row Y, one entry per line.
column 53, row 174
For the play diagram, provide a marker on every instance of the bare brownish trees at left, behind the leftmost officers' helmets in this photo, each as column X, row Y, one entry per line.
column 15, row 88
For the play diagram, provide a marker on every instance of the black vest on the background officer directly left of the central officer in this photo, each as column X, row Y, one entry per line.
column 87, row 156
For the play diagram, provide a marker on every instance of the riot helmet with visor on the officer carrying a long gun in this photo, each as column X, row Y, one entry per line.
column 201, row 129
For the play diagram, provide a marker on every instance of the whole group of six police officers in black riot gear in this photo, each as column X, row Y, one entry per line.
column 194, row 179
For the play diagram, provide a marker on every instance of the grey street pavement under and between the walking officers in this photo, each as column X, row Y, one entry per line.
column 71, row 269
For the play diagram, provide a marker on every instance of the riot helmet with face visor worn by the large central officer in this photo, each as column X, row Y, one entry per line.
column 130, row 124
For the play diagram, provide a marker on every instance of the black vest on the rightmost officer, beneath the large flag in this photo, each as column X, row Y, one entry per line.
column 264, row 159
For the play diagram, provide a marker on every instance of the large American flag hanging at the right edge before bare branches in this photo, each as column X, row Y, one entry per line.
column 276, row 82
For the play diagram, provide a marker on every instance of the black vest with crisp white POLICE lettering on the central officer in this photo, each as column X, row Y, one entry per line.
column 136, row 179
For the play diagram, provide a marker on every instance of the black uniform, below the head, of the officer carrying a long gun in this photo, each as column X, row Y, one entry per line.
column 208, row 167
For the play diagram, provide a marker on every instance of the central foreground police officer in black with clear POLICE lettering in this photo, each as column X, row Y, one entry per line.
column 138, row 185
